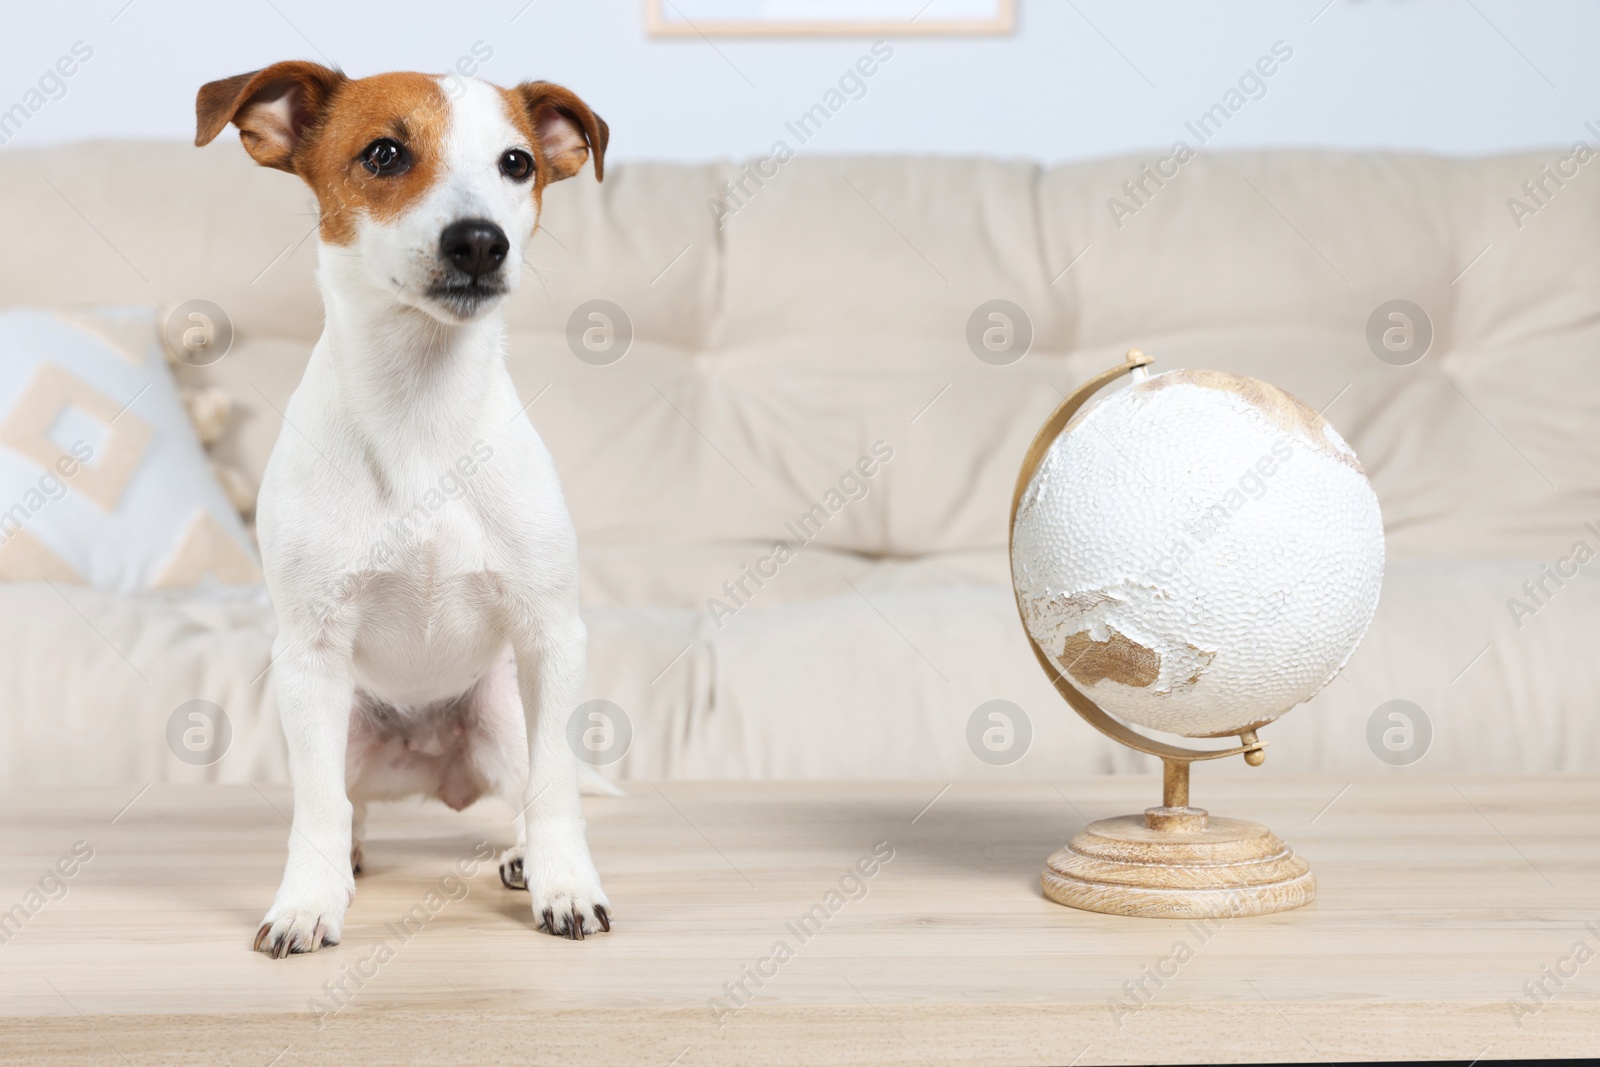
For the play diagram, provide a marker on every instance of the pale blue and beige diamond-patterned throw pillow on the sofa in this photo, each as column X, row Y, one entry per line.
column 102, row 479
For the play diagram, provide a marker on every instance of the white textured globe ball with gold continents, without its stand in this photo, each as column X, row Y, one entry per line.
column 1199, row 553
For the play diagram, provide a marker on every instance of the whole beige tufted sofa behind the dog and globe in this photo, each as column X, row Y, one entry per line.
column 826, row 316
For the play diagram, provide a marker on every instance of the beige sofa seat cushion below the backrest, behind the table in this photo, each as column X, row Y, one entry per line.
column 878, row 676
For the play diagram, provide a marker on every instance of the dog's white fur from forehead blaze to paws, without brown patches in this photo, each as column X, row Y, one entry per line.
column 430, row 668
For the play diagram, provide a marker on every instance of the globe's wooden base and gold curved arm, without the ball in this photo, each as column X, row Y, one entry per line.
column 1175, row 861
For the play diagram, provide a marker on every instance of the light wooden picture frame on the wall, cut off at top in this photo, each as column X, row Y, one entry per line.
column 828, row 18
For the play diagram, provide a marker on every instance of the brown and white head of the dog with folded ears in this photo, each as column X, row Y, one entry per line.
column 430, row 190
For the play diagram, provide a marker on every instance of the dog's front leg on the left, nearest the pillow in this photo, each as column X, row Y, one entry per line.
column 314, row 703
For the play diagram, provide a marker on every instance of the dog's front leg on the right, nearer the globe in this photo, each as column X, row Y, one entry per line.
column 558, row 868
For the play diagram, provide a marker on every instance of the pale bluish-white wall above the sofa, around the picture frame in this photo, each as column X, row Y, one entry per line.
column 1079, row 79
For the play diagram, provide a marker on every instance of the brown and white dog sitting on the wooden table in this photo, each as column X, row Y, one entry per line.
column 414, row 532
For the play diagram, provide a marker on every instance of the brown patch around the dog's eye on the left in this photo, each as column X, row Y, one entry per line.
column 406, row 110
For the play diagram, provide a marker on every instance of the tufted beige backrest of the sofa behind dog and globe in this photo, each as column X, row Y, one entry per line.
column 788, row 318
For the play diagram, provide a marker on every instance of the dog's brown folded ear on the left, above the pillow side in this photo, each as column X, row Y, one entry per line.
column 273, row 108
